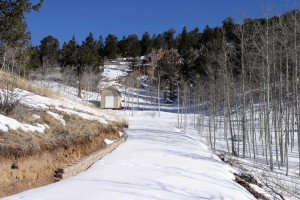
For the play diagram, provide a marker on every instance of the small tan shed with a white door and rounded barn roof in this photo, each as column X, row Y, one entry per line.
column 111, row 98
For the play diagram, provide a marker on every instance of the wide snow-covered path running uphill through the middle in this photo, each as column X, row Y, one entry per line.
column 156, row 162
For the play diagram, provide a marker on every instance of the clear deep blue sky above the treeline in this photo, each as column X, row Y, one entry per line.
column 65, row 18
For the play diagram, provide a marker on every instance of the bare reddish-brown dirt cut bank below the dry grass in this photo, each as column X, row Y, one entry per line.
column 18, row 174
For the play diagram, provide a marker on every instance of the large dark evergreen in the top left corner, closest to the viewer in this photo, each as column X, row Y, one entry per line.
column 13, row 35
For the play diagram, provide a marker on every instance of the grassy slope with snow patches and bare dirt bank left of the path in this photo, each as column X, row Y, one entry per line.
column 41, row 131
